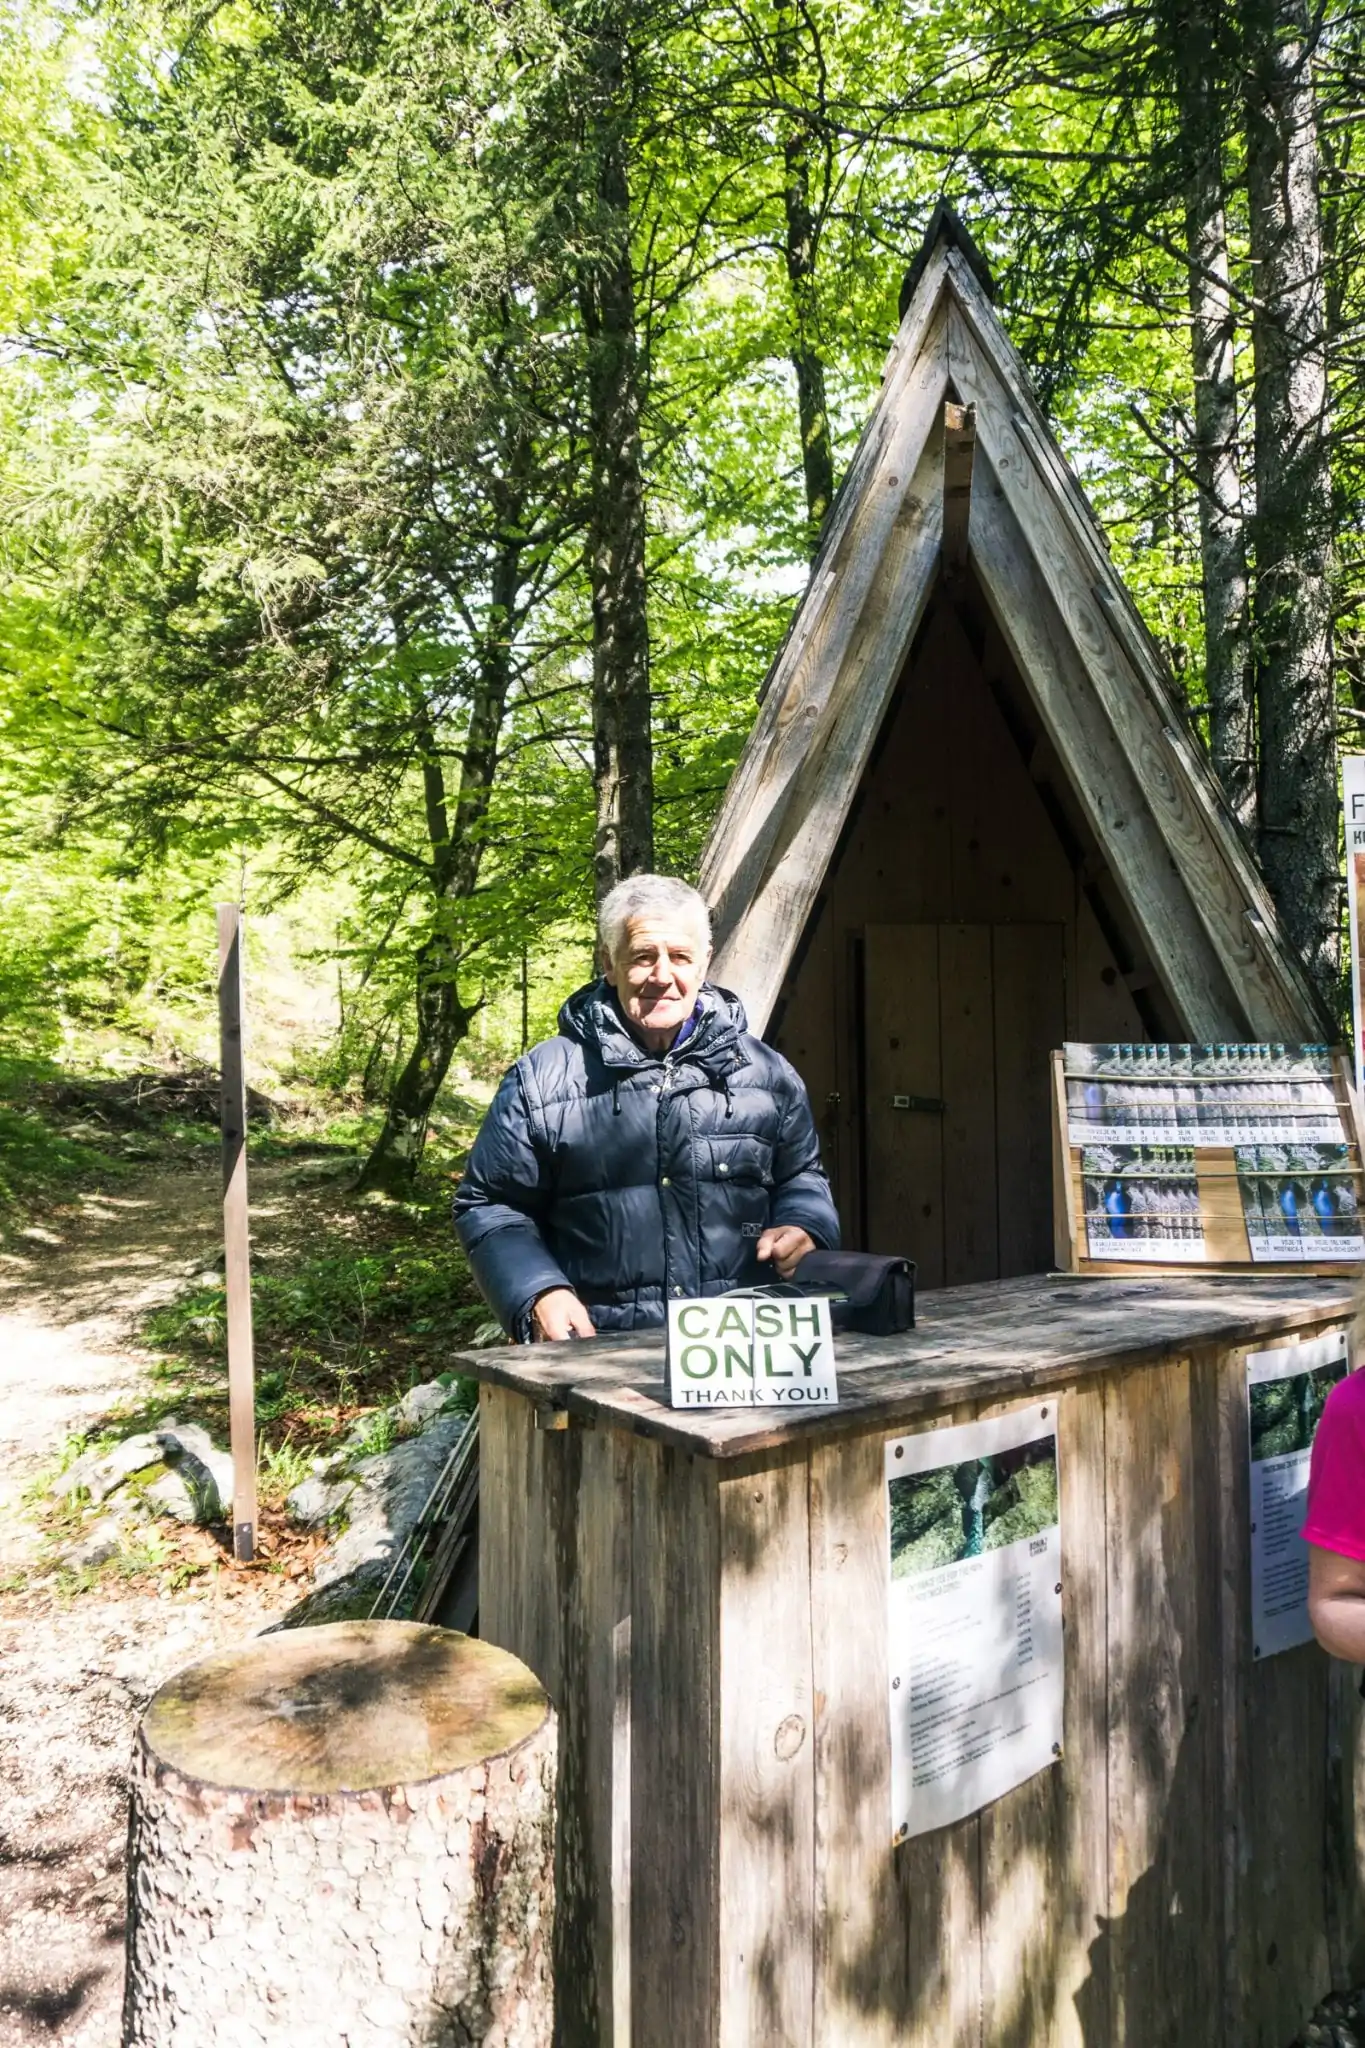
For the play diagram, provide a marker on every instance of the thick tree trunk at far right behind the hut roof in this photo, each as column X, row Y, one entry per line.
column 1294, row 493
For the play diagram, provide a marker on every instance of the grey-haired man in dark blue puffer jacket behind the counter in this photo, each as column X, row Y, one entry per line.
column 652, row 1150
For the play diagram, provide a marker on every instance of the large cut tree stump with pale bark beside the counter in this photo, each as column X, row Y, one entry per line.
column 343, row 1838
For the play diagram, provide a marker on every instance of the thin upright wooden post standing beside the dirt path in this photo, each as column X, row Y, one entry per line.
column 236, row 1242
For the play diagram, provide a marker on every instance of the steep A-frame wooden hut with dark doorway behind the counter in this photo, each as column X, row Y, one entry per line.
column 971, row 822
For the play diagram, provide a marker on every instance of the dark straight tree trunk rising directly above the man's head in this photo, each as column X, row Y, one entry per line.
column 623, row 746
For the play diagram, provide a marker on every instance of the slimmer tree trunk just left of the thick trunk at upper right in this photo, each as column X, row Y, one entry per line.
column 1192, row 34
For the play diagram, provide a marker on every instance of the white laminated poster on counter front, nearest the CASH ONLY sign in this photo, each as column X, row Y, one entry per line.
column 975, row 1609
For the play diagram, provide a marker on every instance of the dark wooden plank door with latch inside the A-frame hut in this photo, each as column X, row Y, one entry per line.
column 959, row 1025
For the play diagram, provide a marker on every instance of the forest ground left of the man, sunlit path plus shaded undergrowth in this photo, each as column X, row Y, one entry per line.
column 112, row 1322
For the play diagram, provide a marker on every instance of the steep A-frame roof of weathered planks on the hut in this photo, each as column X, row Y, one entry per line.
column 1096, row 683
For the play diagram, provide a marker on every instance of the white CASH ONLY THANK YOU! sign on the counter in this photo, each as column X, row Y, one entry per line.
column 752, row 1351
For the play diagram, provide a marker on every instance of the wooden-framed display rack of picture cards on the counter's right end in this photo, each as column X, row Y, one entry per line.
column 1213, row 1158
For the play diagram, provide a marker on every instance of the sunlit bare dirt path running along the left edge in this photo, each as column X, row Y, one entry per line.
column 77, row 1672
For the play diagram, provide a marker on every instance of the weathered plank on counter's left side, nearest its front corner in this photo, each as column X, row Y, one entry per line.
column 676, row 1816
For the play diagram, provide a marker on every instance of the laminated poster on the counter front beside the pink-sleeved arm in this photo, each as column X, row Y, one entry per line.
column 1286, row 1394
